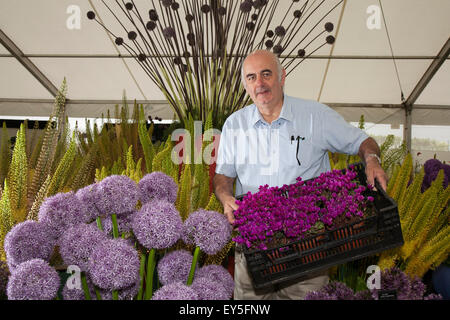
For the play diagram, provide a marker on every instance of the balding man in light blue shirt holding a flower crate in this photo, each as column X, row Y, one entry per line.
column 275, row 140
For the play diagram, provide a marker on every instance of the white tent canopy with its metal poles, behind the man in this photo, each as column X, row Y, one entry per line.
column 355, row 76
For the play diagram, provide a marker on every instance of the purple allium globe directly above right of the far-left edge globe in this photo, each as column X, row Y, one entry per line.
column 61, row 211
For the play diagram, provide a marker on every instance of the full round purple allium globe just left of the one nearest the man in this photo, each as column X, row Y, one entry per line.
column 157, row 225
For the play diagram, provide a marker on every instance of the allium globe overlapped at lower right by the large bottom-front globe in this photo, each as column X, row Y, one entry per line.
column 77, row 243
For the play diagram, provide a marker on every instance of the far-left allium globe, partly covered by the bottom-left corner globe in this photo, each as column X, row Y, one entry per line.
column 28, row 240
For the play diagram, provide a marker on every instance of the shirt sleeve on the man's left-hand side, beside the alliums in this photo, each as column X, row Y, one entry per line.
column 225, row 163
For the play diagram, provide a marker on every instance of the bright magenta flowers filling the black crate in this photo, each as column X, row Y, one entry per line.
column 291, row 211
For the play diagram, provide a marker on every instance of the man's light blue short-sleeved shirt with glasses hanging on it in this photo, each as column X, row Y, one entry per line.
column 258, row 153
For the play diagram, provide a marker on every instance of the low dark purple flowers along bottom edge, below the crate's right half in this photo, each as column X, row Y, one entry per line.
column 391, row 279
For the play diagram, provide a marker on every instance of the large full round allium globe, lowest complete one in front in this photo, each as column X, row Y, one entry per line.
column 114, row 264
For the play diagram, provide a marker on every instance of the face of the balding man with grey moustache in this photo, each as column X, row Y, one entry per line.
column 262, row 80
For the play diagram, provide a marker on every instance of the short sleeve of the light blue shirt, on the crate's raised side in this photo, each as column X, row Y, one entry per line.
column 340, row 136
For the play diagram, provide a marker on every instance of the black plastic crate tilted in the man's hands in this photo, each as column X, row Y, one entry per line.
column 296, row 260
